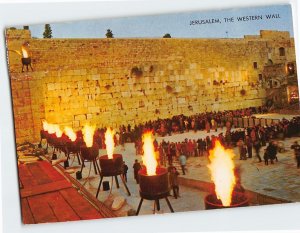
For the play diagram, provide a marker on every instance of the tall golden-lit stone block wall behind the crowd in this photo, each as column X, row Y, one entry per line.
column 109, row 82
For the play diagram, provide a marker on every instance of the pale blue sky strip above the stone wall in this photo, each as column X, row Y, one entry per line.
column 178, row 25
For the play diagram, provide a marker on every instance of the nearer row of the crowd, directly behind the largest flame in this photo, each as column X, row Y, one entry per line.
column 247, row 140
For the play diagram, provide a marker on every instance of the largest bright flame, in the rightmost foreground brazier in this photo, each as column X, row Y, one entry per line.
column 222, row 172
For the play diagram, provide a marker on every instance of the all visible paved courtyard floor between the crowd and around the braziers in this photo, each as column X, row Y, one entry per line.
column 278, row 180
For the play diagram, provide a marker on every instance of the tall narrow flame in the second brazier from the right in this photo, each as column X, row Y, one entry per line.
column 149, row 158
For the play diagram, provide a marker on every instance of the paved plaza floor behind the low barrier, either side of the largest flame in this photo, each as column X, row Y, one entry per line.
column 279, row 180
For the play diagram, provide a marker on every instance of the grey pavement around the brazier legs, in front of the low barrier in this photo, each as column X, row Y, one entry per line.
column 190, row 199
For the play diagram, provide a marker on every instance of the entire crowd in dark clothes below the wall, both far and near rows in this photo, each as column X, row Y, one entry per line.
column 247, row 139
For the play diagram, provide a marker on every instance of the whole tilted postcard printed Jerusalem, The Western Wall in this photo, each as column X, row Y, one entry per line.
column 155, row 114
